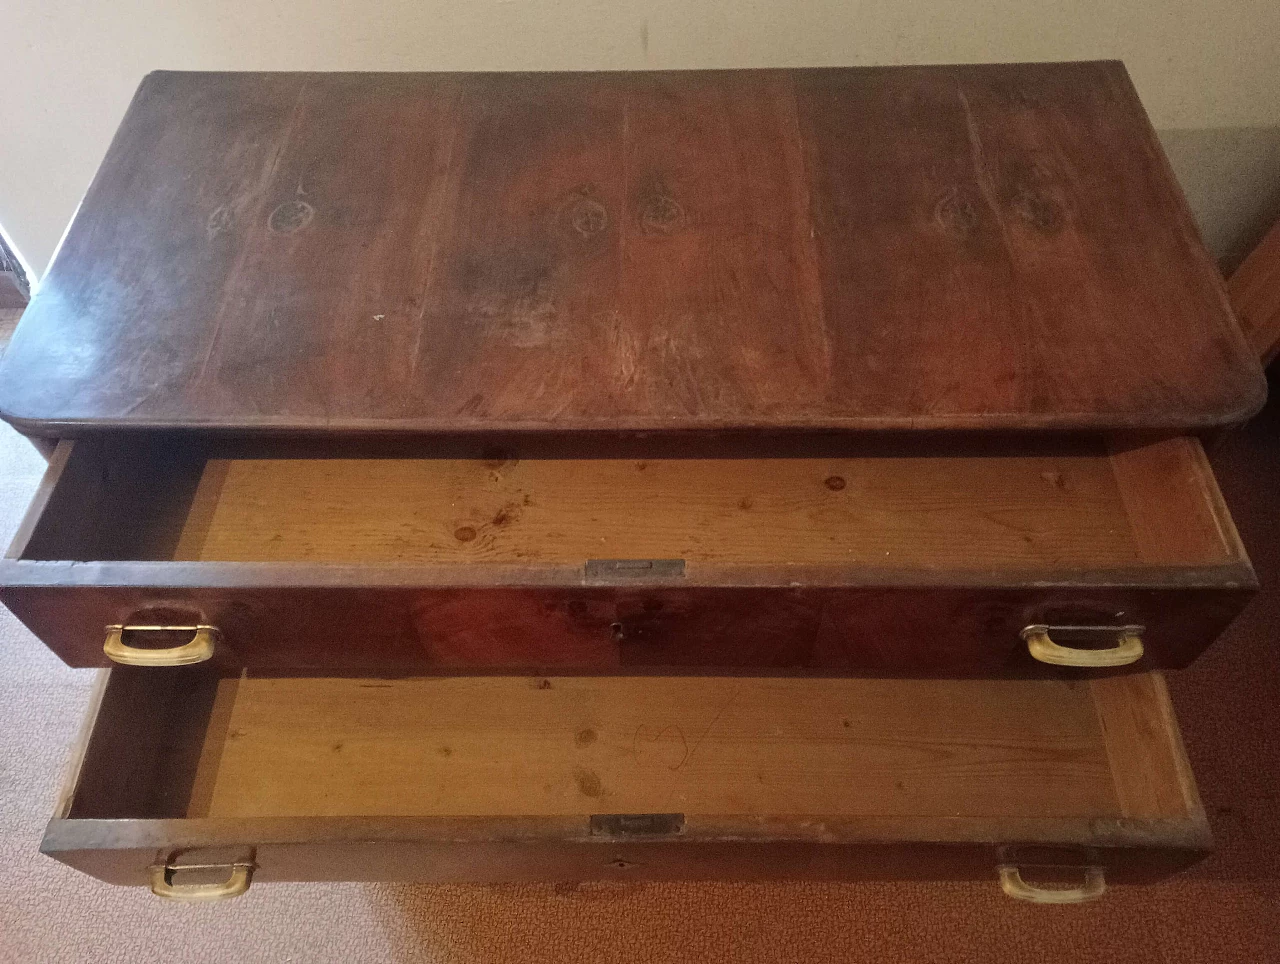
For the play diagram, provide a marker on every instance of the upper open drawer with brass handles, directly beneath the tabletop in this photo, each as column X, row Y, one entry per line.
column 885, row 556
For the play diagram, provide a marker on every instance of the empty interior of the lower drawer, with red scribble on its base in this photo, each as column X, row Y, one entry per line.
column 190, row 744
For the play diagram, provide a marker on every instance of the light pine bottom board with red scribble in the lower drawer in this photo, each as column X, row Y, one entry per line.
column 781, row 748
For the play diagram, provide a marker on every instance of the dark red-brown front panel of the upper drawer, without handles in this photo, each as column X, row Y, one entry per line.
column 918, row 631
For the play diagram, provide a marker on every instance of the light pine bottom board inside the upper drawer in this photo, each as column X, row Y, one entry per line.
column 961, row 513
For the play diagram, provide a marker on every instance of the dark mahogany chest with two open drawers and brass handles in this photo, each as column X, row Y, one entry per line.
column 566, row 477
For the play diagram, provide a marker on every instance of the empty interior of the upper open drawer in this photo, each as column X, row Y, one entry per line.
column 888, row 504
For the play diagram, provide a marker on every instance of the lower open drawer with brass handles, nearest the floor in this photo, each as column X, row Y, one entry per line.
column 199, row 784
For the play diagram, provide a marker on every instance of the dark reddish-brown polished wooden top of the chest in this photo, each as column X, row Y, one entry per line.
column 979, row 248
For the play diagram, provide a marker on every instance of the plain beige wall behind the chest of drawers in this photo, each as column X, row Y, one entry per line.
column 1208, row 70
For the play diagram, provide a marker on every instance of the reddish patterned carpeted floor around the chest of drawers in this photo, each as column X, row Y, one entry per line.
column 1227, row 910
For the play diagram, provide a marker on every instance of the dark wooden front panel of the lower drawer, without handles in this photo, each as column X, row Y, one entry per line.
column 337, row 851
